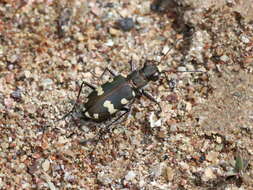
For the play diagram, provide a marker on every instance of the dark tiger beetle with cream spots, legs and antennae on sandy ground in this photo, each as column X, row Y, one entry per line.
column 118, row 95
